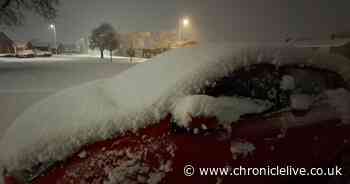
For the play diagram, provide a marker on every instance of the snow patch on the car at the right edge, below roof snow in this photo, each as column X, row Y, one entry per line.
column 340, row 100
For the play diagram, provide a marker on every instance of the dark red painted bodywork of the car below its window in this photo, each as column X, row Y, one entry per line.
column 315, row 145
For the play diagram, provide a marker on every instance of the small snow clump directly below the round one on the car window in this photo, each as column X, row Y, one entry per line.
column 301, row 101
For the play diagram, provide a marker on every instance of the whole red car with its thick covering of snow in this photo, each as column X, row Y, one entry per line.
column 214, row 106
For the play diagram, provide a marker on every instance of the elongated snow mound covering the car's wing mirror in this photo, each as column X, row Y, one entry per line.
column 225, row 109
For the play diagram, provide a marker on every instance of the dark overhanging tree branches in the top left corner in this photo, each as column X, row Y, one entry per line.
column 11, row 11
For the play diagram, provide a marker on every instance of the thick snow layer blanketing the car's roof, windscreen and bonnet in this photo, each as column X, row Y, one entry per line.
column 59, row 125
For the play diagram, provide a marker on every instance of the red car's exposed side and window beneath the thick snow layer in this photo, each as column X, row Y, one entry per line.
column 306, row 126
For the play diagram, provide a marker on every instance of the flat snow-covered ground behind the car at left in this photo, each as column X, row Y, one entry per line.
column 25, row 81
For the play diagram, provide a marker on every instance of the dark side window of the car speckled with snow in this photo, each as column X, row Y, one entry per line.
column 265, row 82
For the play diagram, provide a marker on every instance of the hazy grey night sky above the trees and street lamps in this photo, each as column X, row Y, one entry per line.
column 236, row 20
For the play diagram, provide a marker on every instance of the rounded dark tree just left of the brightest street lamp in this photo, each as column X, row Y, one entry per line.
column 104, row 37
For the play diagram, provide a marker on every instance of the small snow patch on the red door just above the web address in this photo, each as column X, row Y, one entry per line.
column 241, row 148
